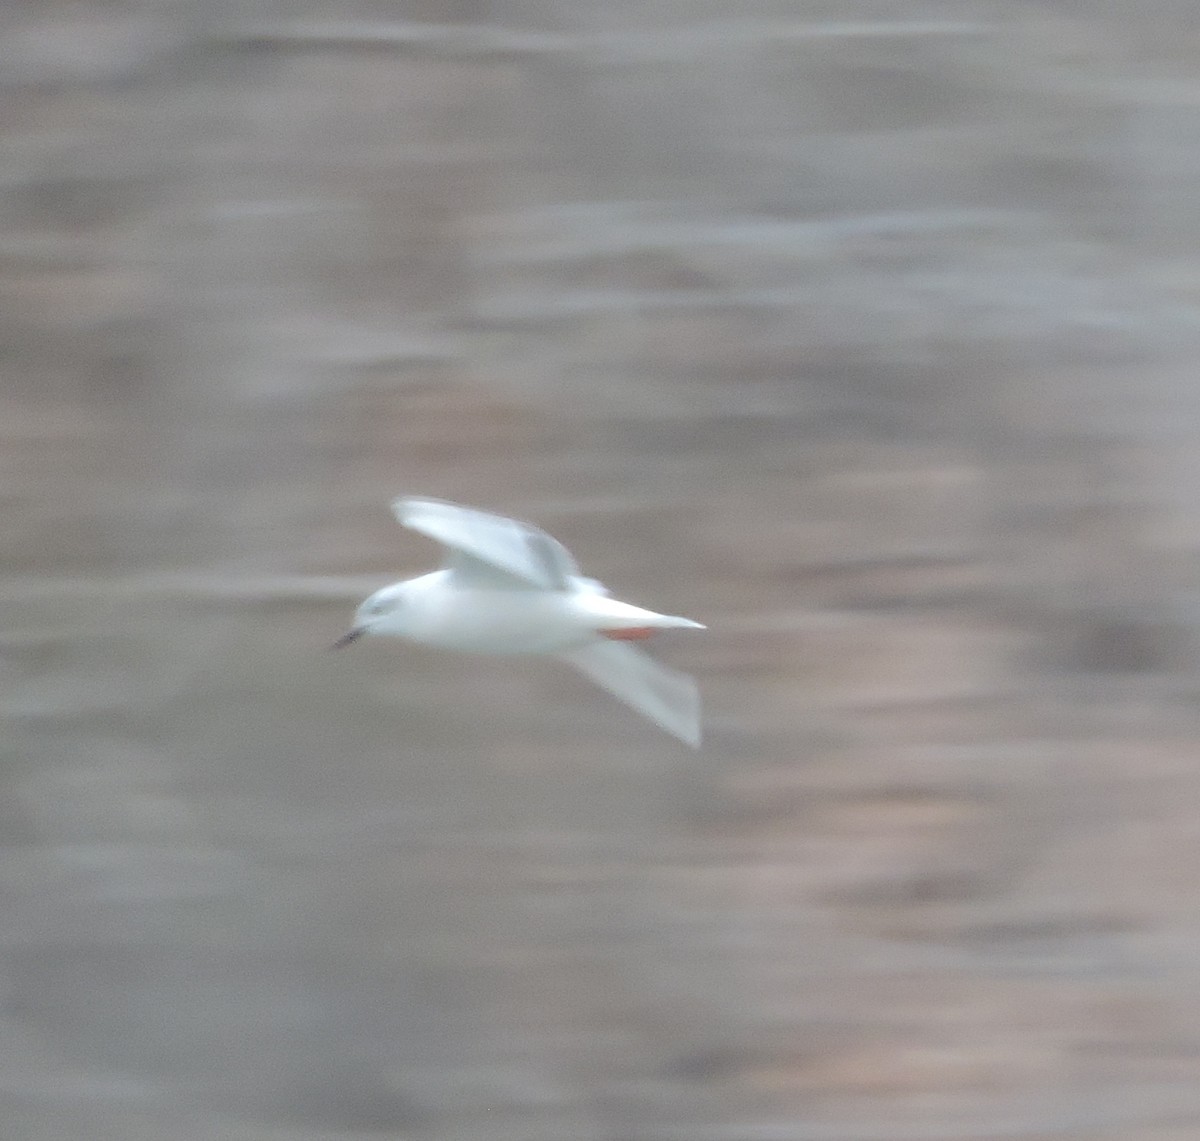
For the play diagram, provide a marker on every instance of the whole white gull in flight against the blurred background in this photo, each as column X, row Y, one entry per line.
column 507, row 587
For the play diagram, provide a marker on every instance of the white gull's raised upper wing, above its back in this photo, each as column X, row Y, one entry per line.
column 491, row 548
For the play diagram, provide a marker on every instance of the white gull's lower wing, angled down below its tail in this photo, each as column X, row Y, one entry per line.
column 667, row 696
